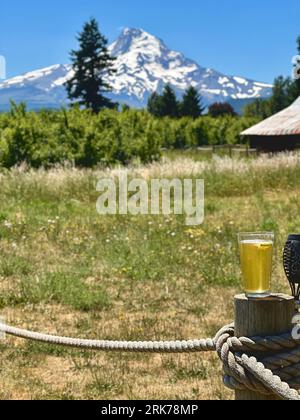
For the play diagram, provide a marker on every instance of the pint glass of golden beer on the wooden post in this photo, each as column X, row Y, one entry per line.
column 256, row 253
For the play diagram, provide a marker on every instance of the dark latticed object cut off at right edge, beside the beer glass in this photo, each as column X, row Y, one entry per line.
column 291, row 262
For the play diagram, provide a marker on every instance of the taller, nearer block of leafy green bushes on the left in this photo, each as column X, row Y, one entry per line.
column 78, row 136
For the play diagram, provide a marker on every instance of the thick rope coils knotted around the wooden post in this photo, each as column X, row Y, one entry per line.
column 267, row 366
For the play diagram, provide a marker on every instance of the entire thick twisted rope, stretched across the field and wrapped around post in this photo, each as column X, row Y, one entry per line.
column 244, row 364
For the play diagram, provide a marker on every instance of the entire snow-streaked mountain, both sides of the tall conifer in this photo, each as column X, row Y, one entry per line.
column 144, row 64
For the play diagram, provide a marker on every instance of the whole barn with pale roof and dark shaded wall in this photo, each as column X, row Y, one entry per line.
column 277, row 133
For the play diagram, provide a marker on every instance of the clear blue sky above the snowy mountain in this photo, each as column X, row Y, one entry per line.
column 254, row 39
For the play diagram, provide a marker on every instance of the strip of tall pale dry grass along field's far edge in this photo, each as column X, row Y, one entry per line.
column 181, row 167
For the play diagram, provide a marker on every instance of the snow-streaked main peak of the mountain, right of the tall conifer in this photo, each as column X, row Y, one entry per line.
column 145, row 64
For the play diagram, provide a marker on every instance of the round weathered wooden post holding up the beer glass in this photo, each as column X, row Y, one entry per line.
column 262, row 317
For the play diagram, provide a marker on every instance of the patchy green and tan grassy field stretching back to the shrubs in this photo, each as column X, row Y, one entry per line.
column 66, row 270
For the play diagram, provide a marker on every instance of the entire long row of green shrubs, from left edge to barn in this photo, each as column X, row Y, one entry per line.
column 47, row 138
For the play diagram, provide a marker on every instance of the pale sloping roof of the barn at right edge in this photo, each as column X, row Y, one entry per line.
column 286, row 122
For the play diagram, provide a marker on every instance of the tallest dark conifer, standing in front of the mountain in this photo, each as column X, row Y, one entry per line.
column 91, row 64
